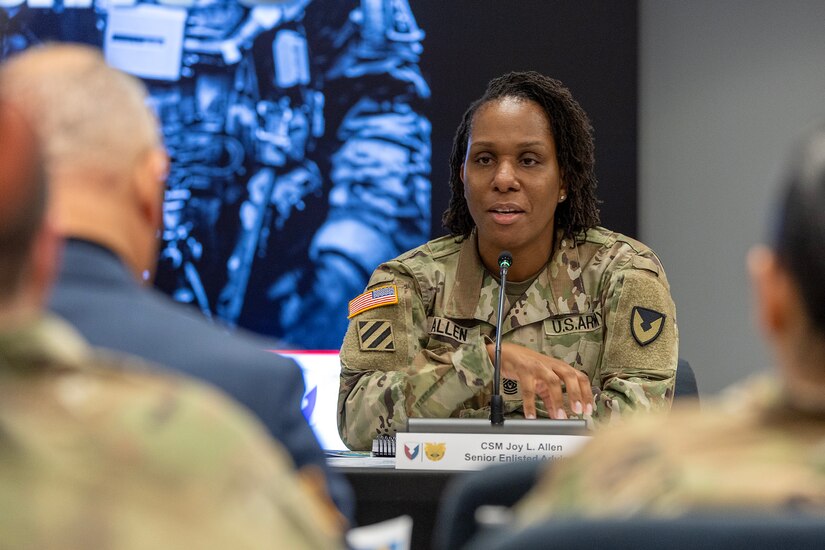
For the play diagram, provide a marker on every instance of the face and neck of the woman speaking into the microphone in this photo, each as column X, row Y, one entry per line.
column 512, row 181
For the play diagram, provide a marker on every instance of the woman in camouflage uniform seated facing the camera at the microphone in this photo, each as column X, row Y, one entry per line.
column 589, row 310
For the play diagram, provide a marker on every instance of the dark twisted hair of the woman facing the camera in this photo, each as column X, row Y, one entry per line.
column 572, row 133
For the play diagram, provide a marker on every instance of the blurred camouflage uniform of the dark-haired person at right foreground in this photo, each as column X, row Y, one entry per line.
column 753, row 449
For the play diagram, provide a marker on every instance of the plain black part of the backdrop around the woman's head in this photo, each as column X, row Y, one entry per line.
column 590, row 45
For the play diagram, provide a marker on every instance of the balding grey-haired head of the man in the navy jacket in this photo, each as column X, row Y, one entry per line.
column 102, row 152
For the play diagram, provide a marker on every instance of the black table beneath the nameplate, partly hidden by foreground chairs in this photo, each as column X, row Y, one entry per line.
column 383, row 493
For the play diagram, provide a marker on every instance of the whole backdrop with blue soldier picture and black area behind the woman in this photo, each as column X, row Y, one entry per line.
column 310, row 139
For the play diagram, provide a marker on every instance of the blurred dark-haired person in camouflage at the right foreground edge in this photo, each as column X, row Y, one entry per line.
column 761, row 446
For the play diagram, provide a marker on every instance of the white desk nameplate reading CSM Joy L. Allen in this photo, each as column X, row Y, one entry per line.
column 474, row 451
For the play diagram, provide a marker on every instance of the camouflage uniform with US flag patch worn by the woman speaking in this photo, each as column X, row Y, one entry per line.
column 416, row 343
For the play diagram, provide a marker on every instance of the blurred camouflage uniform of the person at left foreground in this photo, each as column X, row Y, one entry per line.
column 93, row 455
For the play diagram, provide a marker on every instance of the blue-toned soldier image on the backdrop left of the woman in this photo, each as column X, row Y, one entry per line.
column 300, row 159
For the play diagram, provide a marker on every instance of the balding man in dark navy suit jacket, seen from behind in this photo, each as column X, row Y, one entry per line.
column 105, row 167
